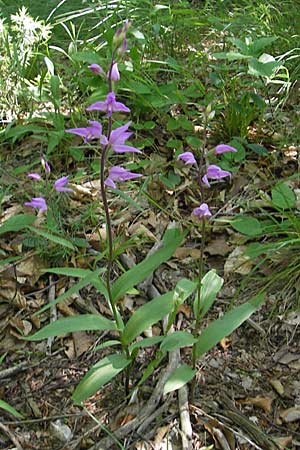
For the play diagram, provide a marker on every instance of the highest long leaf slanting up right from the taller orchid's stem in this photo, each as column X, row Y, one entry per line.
column 171, row 240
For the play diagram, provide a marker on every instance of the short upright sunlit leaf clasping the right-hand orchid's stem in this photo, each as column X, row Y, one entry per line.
column 210, row 286
